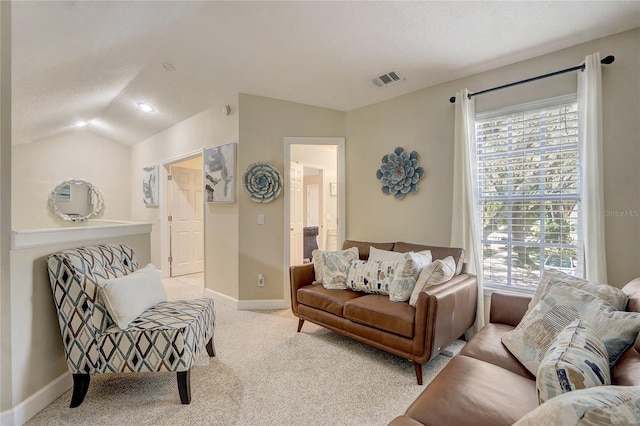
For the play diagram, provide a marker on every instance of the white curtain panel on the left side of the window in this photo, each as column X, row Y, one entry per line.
column 464, row 226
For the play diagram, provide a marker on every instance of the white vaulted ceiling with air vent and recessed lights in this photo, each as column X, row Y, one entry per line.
column 94, row 61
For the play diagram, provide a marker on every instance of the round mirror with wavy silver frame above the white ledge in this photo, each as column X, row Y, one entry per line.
column 76, row 200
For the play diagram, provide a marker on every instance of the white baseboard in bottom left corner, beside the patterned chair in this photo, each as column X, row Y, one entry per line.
column 31, row 406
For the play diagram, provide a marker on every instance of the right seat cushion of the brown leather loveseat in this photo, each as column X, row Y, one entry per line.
column 376, row 310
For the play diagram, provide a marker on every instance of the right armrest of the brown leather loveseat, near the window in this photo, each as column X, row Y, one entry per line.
column 443, row 313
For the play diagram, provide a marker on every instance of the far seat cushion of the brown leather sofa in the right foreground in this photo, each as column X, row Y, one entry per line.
column 486, row 345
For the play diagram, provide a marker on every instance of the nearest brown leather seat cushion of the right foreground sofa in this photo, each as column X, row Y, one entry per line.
column 470, row 391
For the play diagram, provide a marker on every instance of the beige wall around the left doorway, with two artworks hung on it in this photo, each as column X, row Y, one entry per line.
column 204, row 130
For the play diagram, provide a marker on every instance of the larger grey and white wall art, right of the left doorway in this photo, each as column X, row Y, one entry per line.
column 219, row 167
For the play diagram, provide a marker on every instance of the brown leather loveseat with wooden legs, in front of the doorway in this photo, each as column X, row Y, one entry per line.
column 442, row 314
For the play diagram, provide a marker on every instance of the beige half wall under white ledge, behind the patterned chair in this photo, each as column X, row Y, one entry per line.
column 37, row 352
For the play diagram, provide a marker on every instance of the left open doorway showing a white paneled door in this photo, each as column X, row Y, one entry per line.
column 185, row 221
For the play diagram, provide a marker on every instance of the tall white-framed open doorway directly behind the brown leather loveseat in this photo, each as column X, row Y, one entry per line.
column 314, row 197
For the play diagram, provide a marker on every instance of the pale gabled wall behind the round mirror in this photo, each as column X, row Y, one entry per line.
column 79, row 154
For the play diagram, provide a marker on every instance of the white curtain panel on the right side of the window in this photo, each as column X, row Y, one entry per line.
column 590, row 134
